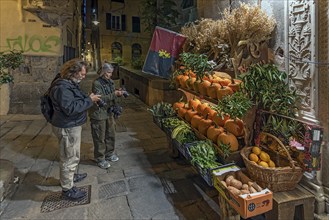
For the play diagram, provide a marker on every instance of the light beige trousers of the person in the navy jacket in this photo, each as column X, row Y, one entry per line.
column 69, row 145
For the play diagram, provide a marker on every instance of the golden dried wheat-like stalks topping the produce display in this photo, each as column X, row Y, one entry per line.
column 246, row 25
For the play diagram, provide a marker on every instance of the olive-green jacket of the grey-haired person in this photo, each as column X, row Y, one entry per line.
column 106, row 89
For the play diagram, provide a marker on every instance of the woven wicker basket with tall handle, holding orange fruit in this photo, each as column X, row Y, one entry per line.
column 281, row 178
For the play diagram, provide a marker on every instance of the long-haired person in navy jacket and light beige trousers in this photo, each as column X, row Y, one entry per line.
column 70, row 113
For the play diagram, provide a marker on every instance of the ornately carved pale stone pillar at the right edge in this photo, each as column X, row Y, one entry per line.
column 305, row 53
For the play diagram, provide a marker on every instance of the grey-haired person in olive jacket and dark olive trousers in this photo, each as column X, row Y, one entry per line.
column 101, row 118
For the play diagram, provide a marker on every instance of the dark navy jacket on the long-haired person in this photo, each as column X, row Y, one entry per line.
column 70, row 104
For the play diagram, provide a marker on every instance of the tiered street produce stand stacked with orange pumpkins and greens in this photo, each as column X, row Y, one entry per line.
column 239, row 129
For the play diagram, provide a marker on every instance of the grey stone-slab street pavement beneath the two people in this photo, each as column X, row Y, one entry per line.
column 146, row 183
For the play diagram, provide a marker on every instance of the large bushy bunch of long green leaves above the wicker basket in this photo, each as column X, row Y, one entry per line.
column 268, row 87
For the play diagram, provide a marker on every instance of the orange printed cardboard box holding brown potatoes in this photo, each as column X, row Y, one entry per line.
column 246, row 205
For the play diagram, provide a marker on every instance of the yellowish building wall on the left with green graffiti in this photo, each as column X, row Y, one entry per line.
column 48, row 33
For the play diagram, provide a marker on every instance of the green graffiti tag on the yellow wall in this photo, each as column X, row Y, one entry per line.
column 35, row 43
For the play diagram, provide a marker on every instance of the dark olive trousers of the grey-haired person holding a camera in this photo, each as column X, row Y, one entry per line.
column 103, row 133
